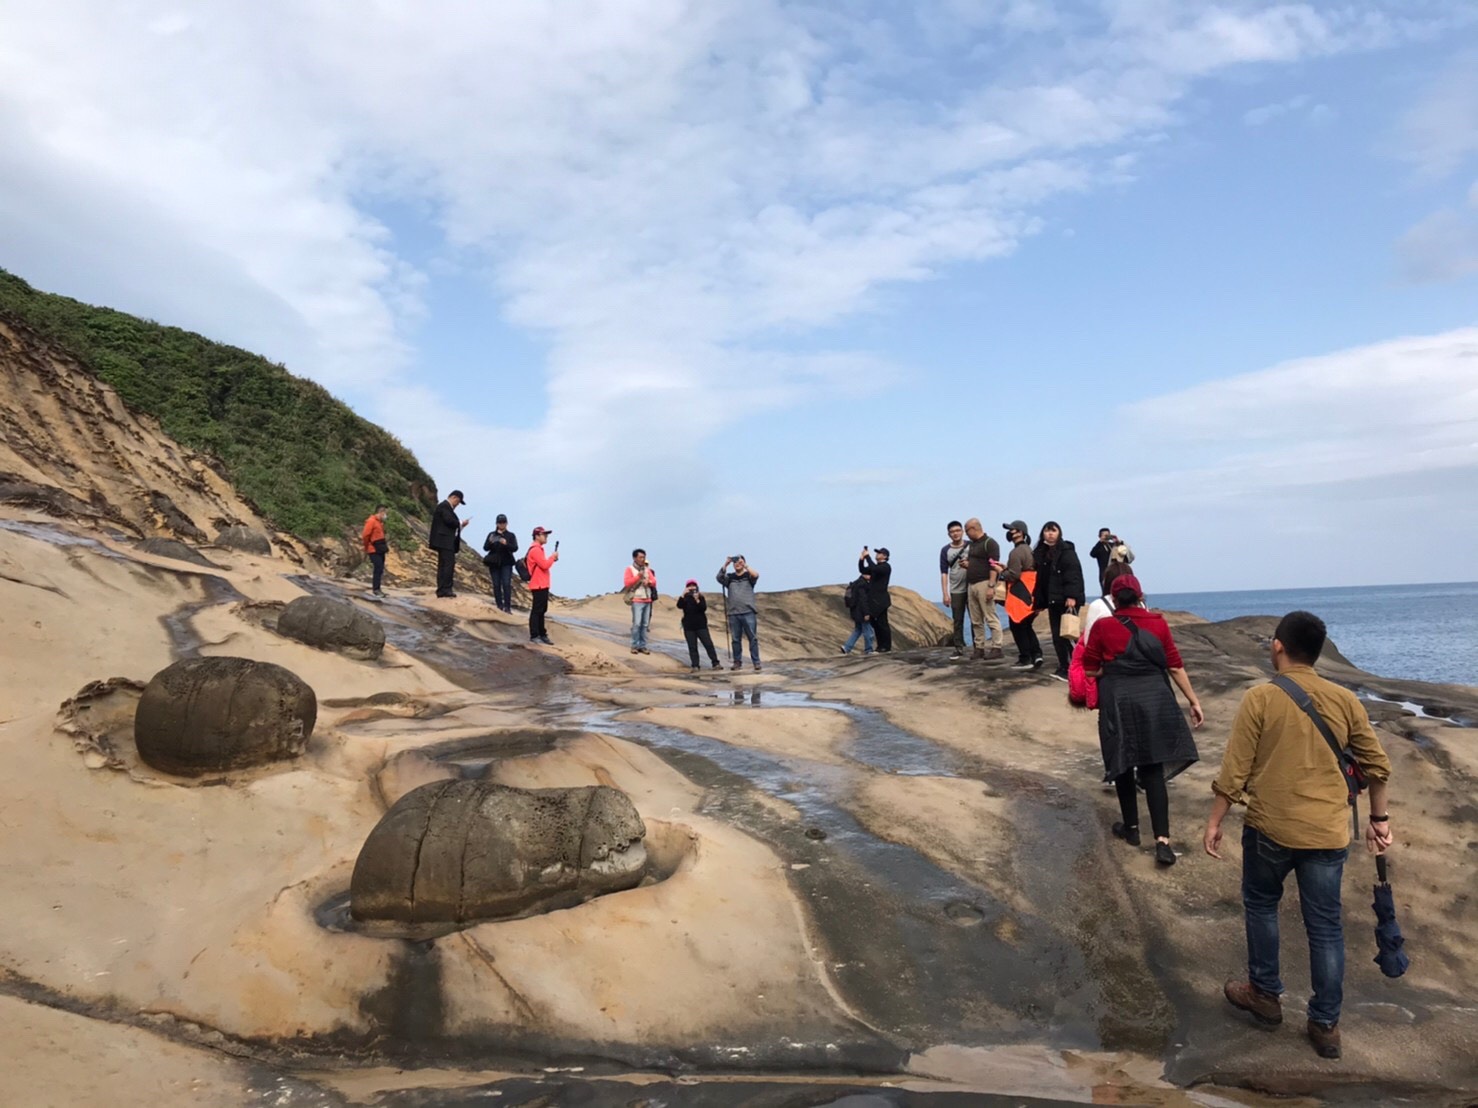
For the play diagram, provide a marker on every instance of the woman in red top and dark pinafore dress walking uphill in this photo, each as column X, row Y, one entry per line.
column 1142, row 731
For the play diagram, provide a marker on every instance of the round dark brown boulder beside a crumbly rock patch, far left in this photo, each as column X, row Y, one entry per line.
column 211, row 714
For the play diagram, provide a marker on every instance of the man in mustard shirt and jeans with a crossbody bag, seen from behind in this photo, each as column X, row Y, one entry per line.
column 1298, row 822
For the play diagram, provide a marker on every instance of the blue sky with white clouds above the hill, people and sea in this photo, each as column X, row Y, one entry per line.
column 794, row 278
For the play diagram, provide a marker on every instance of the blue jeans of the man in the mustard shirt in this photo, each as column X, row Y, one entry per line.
column 1264, row 868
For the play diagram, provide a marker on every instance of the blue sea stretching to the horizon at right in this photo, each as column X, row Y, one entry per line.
column 1420, row 633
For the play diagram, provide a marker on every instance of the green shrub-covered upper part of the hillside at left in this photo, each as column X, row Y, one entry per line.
column 305, row 459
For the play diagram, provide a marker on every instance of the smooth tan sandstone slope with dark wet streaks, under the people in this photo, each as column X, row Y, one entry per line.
column 886, row 877
